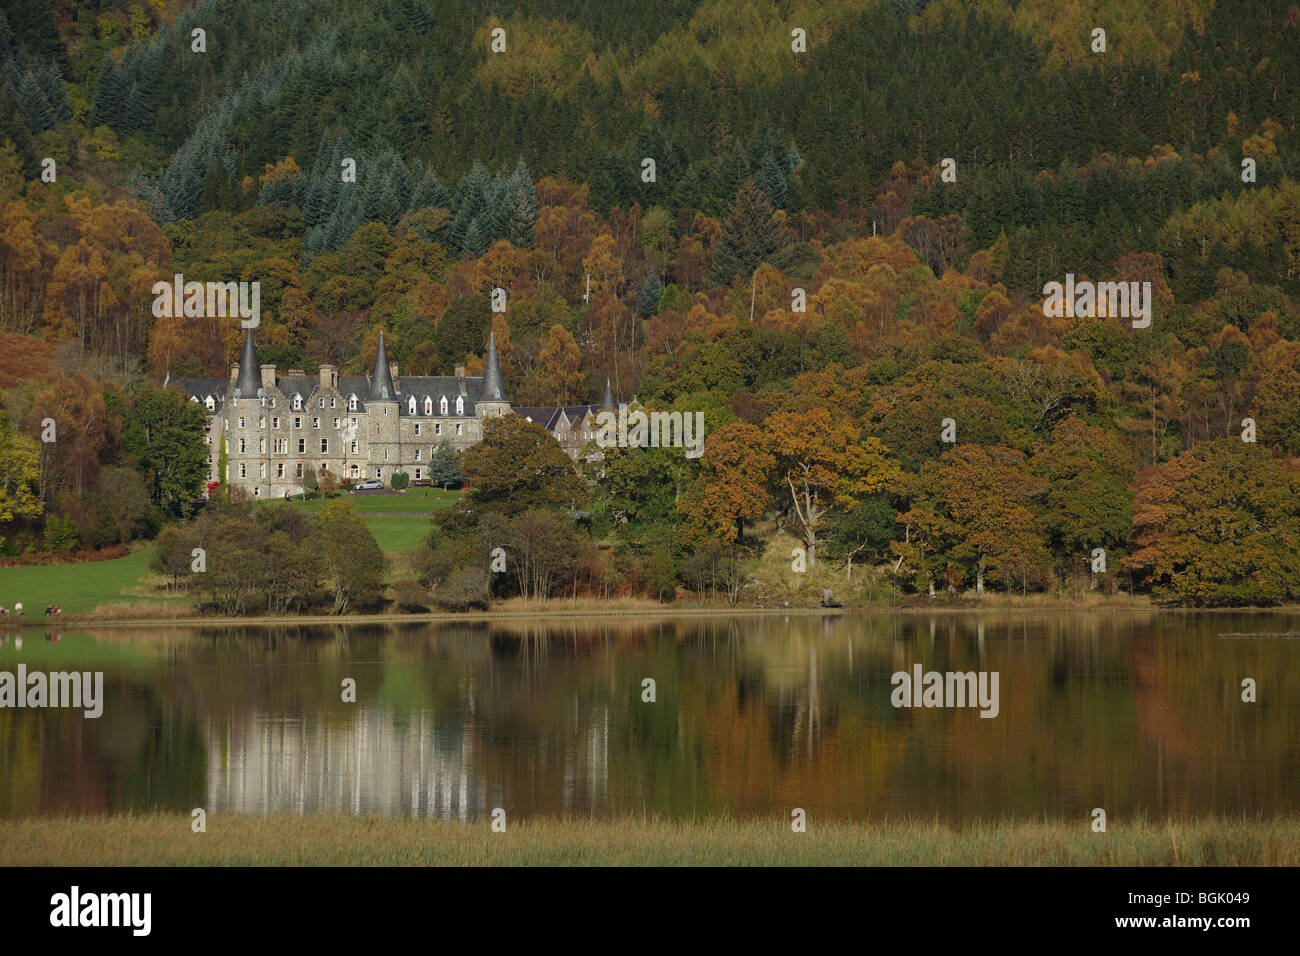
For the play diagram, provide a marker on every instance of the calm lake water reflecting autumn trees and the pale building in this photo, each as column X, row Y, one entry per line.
column 753, row 716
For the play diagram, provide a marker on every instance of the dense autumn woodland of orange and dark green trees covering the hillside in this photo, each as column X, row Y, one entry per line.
column 774, row 172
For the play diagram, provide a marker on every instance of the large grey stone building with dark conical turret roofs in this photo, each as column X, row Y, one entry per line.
column 276, row 427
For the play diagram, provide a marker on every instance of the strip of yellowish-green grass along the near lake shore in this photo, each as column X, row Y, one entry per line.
column 322, row 841
